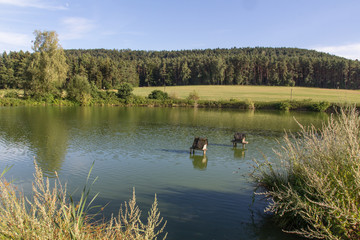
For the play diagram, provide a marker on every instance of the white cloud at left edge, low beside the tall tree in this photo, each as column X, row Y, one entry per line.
column 14, row 40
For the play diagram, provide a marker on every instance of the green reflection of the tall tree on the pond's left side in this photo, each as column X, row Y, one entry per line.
column 42, row 131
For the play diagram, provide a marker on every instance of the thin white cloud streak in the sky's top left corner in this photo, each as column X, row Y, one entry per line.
column 49, row 5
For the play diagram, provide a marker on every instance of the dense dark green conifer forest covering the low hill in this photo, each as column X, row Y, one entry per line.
column 107, row 69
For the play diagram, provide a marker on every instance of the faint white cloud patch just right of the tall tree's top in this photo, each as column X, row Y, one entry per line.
column 76, row 28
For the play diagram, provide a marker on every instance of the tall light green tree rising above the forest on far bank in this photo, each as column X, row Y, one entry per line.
column 47, row 71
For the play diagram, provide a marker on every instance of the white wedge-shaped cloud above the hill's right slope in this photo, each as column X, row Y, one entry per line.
column 351, row 51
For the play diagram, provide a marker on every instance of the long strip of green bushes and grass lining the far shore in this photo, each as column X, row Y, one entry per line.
column 124, row 97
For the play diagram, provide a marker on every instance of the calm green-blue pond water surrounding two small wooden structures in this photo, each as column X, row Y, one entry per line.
column 201, row 197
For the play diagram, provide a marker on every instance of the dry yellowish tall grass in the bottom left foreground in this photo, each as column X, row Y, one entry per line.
column 49, row 214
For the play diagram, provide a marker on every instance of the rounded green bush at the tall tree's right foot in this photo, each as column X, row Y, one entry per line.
column 79, row 89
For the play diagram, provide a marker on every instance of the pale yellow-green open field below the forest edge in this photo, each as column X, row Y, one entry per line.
column 258, row 93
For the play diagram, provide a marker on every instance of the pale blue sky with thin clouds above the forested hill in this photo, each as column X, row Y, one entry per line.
column 325, row 25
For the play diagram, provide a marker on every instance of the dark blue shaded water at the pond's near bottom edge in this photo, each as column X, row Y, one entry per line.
column 201, row 214
